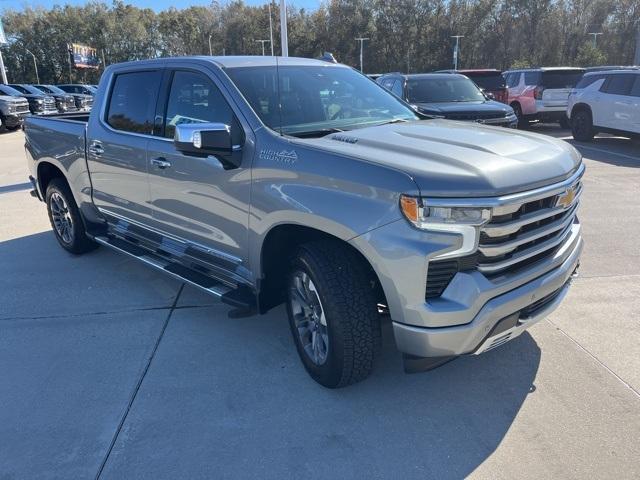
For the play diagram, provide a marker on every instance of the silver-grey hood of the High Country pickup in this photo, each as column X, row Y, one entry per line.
column 459, row 159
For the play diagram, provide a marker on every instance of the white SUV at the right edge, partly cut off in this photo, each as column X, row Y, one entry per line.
column 605, row 102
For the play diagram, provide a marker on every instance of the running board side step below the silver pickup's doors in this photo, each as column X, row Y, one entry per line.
column 241, row 297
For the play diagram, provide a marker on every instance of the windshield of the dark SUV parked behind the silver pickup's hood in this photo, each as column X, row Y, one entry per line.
column 443, row 89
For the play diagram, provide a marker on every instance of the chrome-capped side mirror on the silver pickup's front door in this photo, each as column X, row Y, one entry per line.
column 202, row 139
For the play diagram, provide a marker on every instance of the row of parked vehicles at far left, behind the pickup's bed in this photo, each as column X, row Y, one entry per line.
column 19, row 100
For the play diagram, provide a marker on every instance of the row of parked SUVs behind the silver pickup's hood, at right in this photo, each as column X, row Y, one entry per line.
column 601, row 98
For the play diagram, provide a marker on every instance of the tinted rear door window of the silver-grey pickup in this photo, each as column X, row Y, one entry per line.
column 132, row 102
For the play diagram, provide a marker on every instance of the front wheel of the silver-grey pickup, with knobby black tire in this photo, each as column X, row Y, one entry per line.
column 344, row 313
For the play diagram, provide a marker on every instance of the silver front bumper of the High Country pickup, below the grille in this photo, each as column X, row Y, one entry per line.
column 500, row 319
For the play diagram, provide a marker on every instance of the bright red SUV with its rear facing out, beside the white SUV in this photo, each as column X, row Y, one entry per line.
column 541, row 94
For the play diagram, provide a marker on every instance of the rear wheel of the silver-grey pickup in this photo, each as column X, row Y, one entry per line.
column 65, row 218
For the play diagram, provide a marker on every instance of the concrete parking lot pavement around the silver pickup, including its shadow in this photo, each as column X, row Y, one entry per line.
column 109, row 369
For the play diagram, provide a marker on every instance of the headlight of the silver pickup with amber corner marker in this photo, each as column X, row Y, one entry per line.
column 463, row 221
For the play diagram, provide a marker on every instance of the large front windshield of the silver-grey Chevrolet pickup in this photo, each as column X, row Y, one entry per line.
column 316, row 98
